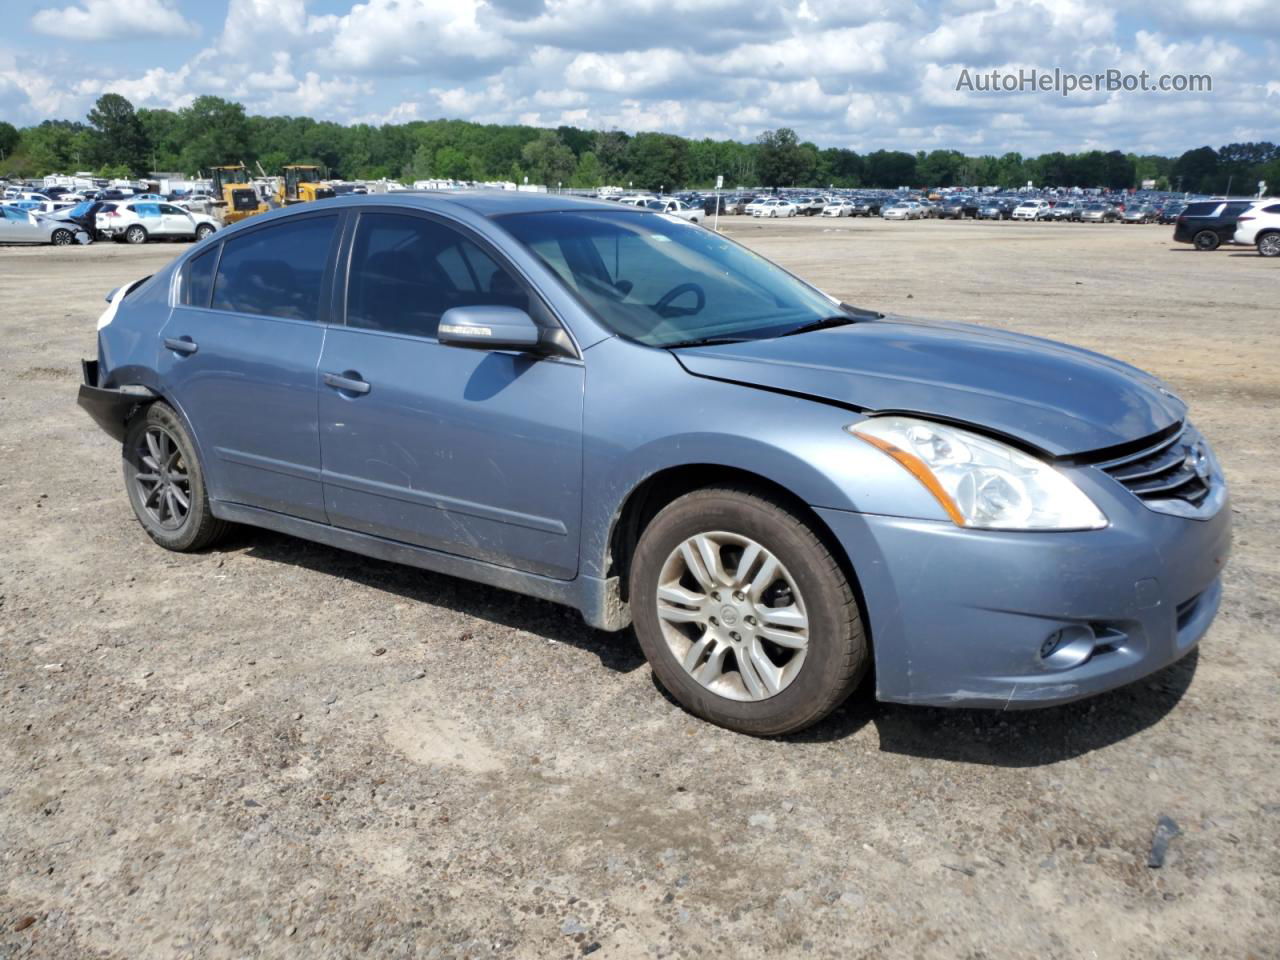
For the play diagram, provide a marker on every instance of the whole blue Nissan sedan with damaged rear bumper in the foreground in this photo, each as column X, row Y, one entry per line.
column 636, row 417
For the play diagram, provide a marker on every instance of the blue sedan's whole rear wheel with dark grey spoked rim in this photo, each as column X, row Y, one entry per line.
column 166, row 484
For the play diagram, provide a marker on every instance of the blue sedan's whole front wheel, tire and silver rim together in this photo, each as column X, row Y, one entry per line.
column 744, row 614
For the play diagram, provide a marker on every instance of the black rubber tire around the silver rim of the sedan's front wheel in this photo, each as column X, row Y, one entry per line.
column 838, row 655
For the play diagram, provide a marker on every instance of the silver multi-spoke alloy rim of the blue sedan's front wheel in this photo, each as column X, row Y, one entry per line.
column 733, row 616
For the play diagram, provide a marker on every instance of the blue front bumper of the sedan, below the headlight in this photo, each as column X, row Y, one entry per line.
column 963, row 618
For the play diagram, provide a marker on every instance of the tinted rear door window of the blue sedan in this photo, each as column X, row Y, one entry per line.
column 276, row 271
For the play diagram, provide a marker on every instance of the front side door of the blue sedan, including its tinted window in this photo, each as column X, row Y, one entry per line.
column 472, row 452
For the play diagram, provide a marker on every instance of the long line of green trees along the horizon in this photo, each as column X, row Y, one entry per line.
column 116, row 140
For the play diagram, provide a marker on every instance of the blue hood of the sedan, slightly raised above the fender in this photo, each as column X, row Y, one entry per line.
column 1058, row 399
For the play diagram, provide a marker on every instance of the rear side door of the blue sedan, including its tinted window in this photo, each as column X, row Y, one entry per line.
column 240, row 356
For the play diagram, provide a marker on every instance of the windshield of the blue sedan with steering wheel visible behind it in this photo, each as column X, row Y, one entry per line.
column 662, row 281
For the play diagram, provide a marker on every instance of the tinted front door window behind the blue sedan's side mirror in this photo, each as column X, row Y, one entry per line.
column 408, row 271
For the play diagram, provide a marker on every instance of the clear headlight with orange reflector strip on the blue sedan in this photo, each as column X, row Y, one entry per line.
column 982, row 483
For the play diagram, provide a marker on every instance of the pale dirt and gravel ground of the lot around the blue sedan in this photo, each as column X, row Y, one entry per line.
column 276, row 749
